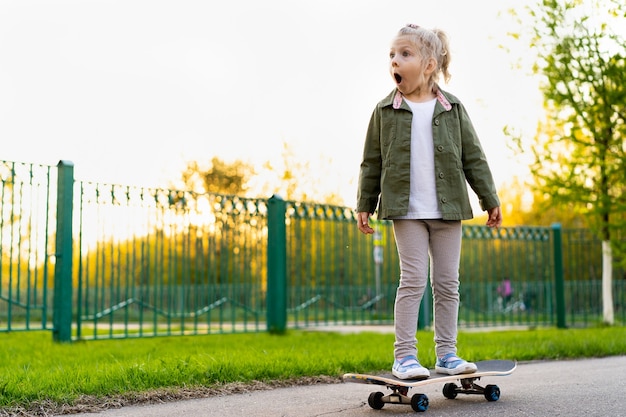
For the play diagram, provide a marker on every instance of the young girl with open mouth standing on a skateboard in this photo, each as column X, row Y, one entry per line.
column 419, row 151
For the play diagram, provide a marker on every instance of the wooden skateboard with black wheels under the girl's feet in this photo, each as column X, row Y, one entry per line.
column 419, row 402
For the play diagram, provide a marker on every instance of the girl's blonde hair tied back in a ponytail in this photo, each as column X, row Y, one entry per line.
column 431, row 44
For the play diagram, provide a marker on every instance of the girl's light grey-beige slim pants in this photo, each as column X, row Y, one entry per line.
column 416, row 240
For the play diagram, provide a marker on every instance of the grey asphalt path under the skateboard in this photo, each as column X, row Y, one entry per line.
column 590, row 387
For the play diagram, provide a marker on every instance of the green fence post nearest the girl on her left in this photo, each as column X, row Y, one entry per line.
column 276, row 265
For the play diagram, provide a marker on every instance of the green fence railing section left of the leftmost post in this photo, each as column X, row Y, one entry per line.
column 27, row 198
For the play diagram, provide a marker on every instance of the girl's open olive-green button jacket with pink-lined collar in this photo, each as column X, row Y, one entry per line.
column 459, row 158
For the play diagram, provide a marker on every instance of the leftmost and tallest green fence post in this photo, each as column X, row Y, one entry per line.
column 62, row 316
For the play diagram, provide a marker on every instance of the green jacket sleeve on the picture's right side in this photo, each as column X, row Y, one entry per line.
column 475, row 166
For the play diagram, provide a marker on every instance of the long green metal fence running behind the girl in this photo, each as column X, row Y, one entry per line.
column 92, row 260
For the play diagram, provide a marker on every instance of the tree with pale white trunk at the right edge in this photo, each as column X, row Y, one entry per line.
column 580, row 153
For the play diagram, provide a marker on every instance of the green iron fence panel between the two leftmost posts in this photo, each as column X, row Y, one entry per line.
column 155, row 261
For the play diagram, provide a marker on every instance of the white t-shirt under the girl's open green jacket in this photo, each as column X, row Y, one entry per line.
column 423, row 201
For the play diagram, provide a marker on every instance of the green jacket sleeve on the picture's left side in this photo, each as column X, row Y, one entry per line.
column 371, row 167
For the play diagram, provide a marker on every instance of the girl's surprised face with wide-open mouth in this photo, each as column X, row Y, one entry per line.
column 408, row 69
